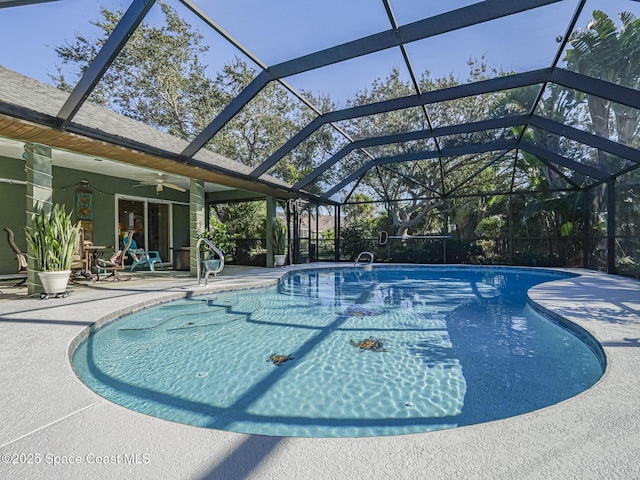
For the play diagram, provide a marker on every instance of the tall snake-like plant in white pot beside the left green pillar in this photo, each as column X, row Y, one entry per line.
column 53, row 237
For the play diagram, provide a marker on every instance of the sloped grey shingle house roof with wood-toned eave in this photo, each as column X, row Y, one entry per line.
column 28, row 112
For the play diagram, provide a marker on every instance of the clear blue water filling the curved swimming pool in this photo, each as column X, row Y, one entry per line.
column 461, row 347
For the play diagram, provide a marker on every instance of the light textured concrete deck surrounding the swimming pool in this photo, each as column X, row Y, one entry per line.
column 48, row 415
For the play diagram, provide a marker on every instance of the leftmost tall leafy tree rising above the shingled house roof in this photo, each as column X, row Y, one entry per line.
column 157, row 78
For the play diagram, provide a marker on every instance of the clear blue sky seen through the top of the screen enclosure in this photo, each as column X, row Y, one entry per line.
column 283, row 29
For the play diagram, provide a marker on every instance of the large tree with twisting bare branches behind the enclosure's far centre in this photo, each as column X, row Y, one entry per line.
column 414, row 190
